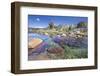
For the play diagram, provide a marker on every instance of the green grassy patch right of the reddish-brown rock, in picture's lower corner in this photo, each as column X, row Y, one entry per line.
column 74, row 52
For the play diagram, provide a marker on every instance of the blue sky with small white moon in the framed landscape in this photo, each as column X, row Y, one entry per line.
column 41, row 21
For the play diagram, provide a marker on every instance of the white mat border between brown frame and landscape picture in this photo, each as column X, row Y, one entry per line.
column 25, row 64
